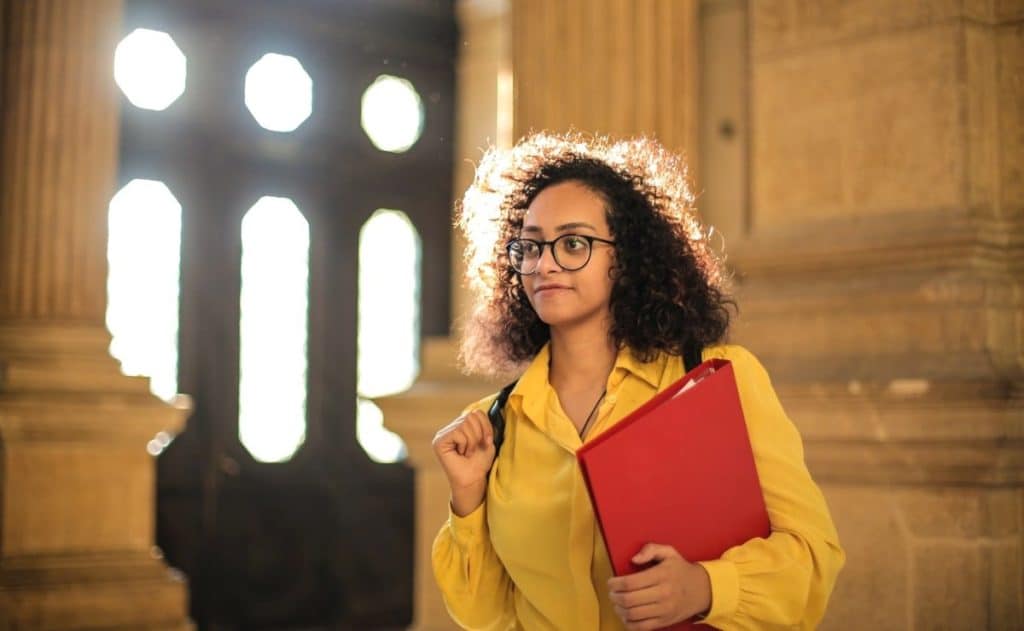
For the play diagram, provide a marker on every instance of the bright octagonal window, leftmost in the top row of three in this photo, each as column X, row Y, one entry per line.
column 150, row 69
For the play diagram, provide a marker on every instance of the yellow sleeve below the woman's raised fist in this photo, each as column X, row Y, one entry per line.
column 477, row 590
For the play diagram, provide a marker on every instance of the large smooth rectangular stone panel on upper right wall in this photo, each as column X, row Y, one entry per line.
column 866, row 128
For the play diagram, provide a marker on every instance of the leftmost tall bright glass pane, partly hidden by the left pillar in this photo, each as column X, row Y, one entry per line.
column 144, row 254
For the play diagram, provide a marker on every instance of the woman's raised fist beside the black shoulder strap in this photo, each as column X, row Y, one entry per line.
column 466, row 450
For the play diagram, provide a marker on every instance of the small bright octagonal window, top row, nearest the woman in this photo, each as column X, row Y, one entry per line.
column 393, row 114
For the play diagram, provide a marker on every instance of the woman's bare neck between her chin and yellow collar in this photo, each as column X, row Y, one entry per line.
column 581, row 359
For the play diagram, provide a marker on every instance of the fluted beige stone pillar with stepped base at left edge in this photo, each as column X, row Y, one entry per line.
column 76, row 482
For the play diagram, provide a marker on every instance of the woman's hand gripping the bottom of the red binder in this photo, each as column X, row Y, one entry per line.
column 671, row 592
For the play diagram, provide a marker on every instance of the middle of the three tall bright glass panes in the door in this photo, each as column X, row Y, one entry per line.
column 274, row 329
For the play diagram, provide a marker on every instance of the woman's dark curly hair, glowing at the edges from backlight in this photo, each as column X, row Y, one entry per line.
column 669, row 287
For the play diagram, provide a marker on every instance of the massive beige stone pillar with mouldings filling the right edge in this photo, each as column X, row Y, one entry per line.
column 881, row 269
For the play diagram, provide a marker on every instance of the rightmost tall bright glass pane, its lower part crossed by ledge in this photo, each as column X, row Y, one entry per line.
column 389, row 321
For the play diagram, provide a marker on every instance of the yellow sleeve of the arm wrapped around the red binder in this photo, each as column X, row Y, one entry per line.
column 785, row 580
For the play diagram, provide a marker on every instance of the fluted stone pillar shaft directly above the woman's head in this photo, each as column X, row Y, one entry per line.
column 615, row 67
